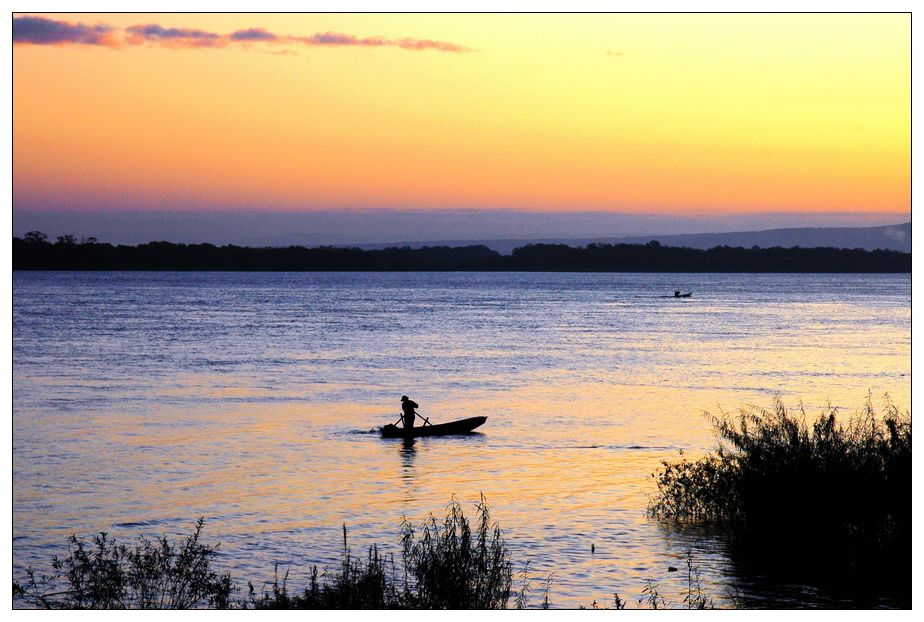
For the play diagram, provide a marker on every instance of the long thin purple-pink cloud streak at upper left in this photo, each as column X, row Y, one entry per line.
column 42, row 31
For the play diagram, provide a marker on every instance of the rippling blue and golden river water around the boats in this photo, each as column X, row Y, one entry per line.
column 142, row 401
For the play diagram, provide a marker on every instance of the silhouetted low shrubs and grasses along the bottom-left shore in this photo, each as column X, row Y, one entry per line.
column 446, row 564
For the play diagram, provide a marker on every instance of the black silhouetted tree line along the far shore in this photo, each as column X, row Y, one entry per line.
column 35, row 252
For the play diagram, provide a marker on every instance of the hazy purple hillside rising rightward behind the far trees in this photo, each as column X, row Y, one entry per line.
column 889, row 237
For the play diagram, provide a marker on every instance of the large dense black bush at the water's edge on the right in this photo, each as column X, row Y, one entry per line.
column 843, row 483
